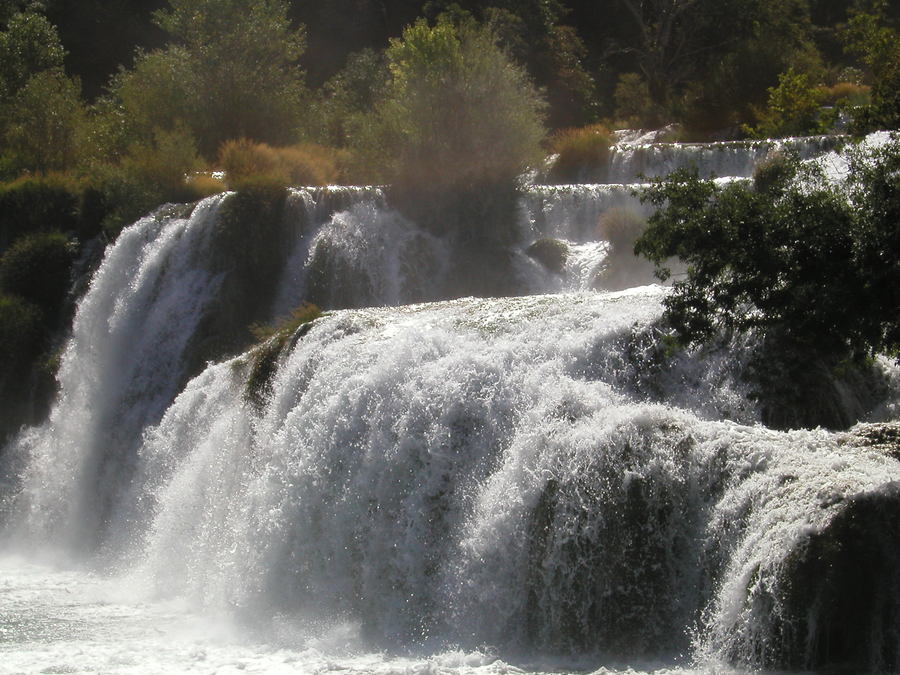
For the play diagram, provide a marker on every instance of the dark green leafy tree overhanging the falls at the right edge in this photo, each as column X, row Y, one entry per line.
column 812, row 268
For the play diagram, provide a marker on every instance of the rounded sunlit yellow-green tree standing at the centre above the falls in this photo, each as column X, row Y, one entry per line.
column 458, row 113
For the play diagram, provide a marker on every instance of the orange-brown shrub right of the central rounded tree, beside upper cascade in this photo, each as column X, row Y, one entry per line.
column 583, row 154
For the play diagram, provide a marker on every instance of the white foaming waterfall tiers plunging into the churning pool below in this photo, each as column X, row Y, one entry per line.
column 442, row 487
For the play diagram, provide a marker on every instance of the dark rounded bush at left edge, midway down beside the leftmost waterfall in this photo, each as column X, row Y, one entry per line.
column 37, row 268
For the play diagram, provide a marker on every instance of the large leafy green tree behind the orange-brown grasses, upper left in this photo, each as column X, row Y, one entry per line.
column 231, row 71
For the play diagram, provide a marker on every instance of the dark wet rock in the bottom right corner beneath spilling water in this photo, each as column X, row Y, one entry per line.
column 839, row 606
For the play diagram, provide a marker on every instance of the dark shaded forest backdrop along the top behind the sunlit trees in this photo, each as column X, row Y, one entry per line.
column 704, row 62
